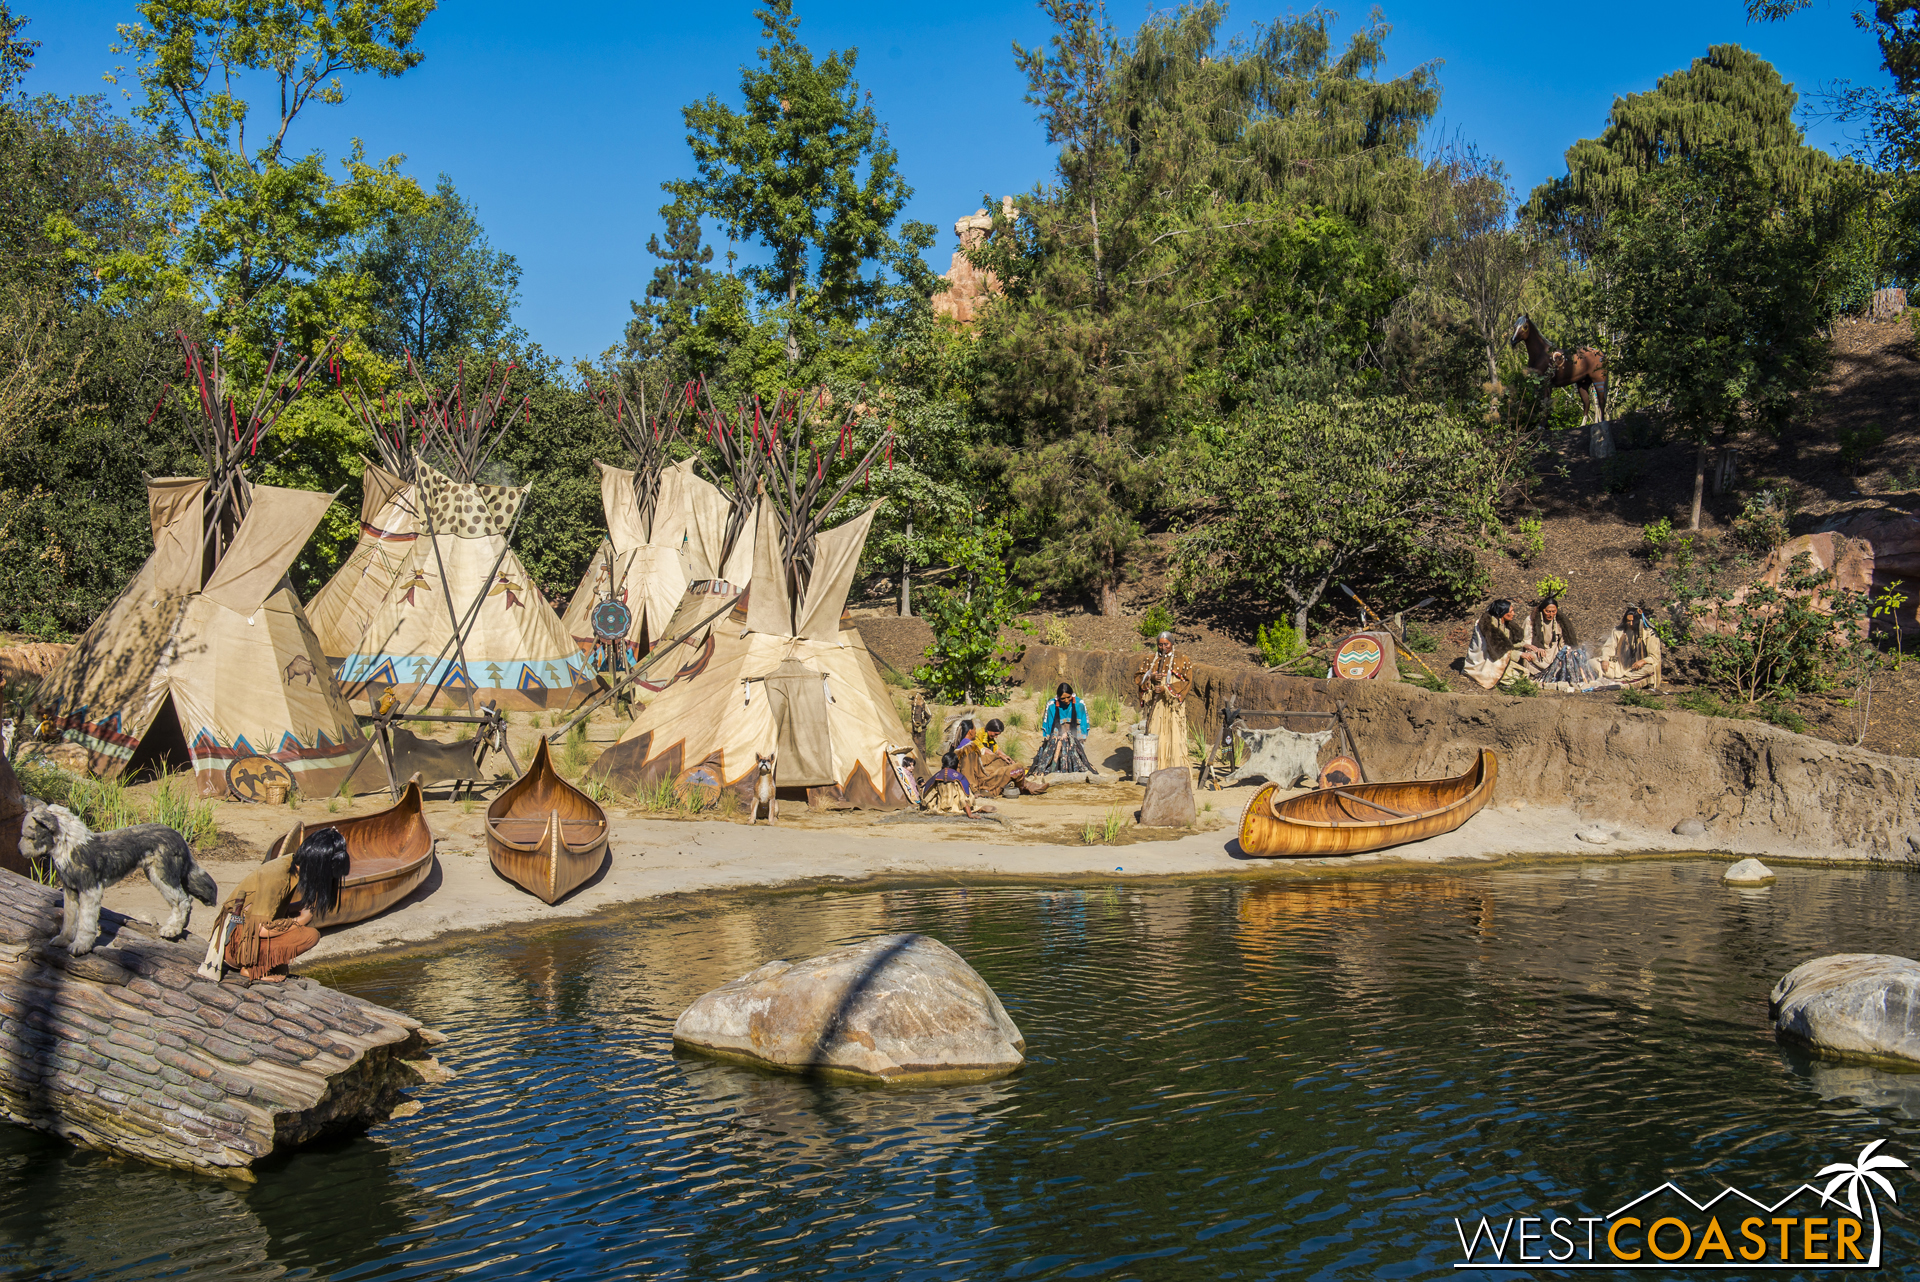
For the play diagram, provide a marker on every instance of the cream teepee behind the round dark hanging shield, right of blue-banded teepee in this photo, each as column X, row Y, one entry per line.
column 642, row 563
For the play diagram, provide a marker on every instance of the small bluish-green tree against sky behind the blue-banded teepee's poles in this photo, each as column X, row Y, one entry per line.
column 441, row 289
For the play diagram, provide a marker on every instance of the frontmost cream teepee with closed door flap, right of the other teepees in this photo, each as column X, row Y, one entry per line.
column 780, row 677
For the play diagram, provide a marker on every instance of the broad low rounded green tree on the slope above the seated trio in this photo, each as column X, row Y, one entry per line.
column 1385, row 490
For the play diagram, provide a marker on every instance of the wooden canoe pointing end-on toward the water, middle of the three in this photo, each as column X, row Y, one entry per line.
column 544, row 834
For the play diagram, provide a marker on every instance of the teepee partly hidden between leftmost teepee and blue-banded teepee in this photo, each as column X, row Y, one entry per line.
column 343, row 609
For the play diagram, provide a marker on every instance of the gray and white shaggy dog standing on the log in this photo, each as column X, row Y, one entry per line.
column 89, row 863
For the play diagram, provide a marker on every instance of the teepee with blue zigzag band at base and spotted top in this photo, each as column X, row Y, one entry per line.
column 464, row 621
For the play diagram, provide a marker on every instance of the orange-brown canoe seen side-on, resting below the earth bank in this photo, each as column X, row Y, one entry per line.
column 1364, row 817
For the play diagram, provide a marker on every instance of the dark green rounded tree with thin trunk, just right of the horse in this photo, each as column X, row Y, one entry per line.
column 1714, row 298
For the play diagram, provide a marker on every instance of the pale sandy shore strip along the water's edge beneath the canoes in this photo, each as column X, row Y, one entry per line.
column 658, row 859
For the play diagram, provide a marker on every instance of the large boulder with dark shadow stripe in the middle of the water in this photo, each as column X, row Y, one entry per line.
column 892, row 1009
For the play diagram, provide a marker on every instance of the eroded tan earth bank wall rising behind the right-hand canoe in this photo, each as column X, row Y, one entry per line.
column 1760, row 788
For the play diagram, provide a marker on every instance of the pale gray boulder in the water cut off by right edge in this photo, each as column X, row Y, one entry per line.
column 1861, row 1005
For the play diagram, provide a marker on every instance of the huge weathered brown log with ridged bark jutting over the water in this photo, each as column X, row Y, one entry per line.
column 132, row 1053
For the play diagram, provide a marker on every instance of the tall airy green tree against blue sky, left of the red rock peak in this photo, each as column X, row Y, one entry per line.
column 805, row 172
